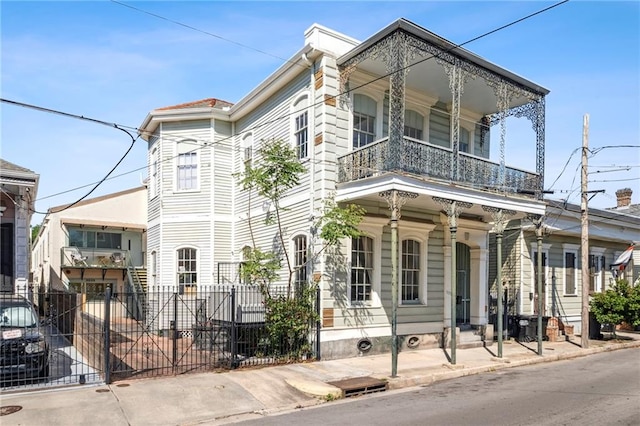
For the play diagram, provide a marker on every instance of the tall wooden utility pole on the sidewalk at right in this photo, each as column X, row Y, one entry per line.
column 584, row 333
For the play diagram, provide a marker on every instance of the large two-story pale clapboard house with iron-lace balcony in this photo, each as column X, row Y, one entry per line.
column 406, row 125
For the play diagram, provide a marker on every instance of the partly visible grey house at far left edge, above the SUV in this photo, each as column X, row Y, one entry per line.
column 19, row 188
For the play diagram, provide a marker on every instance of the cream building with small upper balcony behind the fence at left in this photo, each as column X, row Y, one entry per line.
column 93, row 244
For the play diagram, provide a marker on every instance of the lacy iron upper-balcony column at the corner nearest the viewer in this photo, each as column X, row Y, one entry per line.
column 397, row 68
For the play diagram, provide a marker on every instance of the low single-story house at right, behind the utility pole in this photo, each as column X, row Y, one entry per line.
column 610, row 234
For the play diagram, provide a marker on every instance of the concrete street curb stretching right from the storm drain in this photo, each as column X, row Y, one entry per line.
column 400, row 383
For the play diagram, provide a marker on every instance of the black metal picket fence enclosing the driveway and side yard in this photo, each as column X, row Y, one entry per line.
column 169, row 331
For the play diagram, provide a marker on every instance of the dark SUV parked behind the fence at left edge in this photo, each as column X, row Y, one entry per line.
column 24, row 352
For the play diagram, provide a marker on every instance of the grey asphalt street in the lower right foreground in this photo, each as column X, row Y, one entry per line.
column 602, row 389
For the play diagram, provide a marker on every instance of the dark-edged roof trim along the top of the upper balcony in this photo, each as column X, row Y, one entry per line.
column 447, row 46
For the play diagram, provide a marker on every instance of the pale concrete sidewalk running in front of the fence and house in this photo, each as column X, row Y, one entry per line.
column 218, row 398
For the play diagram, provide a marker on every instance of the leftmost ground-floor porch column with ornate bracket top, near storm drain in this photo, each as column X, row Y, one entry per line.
column 396, row 199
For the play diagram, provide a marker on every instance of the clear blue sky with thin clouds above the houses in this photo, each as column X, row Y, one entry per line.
column 106, row 61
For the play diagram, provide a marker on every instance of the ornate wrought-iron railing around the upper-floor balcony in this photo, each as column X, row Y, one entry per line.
column 424, row 159
